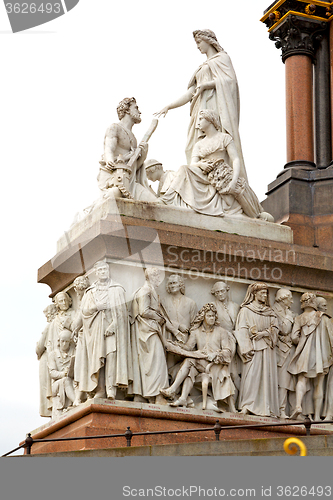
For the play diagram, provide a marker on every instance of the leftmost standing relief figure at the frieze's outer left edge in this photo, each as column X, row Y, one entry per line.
column 45, row 405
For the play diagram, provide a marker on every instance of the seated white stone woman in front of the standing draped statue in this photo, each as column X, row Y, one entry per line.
column 209, row 185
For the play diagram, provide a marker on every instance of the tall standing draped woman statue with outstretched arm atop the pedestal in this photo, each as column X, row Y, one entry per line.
column 213, row 86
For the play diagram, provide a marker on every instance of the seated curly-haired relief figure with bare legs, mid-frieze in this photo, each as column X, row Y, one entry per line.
column 208, row 354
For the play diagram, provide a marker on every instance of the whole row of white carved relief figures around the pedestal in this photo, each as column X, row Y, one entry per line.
column 238, row 353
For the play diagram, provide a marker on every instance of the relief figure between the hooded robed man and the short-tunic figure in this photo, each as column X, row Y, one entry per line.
column 285, row 348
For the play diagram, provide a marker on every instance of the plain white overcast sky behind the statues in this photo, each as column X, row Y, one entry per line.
column 60, row 86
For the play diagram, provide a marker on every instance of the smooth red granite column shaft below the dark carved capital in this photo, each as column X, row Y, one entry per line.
column 299, row 97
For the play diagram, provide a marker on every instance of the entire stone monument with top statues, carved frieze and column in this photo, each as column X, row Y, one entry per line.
column 126, row 345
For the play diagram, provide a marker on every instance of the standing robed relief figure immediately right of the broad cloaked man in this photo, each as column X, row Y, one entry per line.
column 149, row 359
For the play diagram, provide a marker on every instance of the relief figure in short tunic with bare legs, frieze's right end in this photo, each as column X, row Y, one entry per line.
column 313, row 334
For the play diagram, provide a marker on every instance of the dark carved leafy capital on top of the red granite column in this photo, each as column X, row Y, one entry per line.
column 298, row 36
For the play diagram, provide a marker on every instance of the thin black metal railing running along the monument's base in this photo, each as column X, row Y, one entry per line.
column 128, row 434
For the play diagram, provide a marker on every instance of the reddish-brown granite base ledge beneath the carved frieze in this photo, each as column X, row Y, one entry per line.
column 101, row 417
